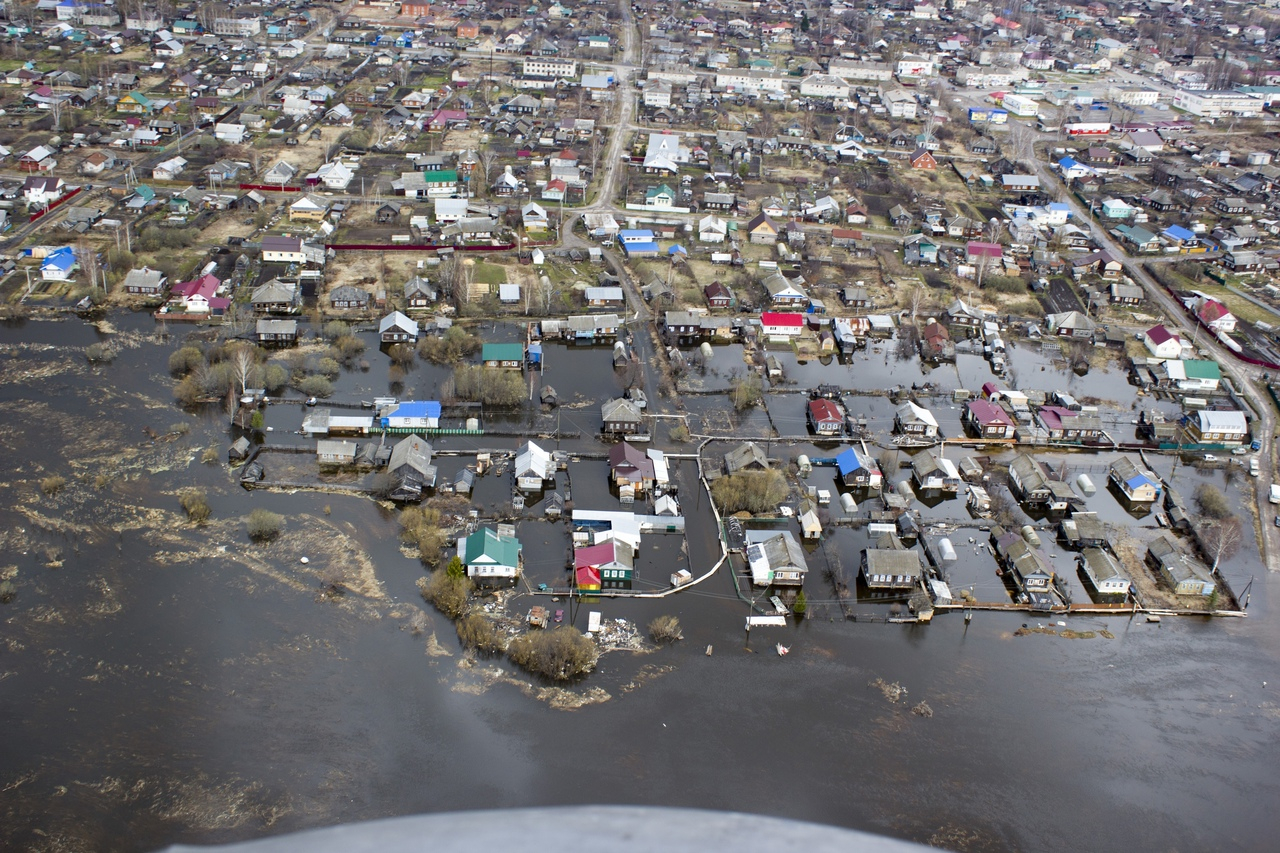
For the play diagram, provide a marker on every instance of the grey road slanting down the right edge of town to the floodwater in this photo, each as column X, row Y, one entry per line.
column 1244, row 376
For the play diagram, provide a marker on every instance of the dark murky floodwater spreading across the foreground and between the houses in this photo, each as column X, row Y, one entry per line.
column 163, row 683
